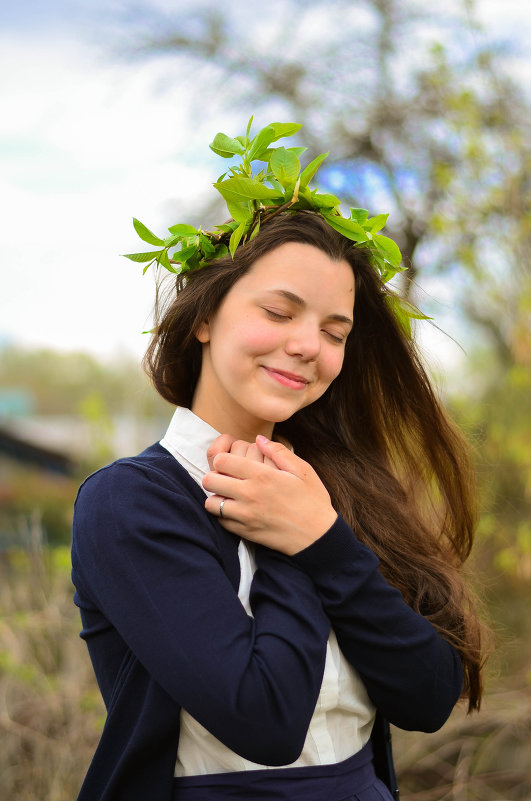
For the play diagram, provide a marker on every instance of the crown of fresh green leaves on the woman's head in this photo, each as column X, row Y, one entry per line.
column 255, row 198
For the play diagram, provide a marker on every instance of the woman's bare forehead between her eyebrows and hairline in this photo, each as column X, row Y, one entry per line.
column 305, row 271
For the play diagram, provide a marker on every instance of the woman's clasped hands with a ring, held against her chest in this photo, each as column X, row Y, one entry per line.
column 273, row 497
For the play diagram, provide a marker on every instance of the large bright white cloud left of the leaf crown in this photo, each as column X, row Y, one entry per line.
column 83, row 148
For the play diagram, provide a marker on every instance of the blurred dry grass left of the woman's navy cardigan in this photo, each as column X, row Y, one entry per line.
column 50, row 709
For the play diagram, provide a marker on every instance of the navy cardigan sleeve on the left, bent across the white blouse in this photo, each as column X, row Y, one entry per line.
column 145, row 555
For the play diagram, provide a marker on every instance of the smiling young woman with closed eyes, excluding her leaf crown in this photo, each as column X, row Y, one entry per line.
column 266, row 588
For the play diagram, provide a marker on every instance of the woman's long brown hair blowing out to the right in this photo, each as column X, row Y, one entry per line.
column 395, row 466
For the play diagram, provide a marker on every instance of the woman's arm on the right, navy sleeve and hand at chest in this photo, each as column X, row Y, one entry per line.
column 411, row 673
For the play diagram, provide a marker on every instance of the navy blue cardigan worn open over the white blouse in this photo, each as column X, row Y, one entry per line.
column 156, row 582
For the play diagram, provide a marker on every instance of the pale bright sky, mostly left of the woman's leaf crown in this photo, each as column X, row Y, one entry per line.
column 89, row 139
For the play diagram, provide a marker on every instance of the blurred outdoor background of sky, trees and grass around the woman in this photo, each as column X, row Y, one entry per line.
column 106, row 111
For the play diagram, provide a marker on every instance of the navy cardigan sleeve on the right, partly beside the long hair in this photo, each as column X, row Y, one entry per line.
column 411, row 673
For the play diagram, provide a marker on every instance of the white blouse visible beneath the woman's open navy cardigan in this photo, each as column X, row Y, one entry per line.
column 344, row 715
